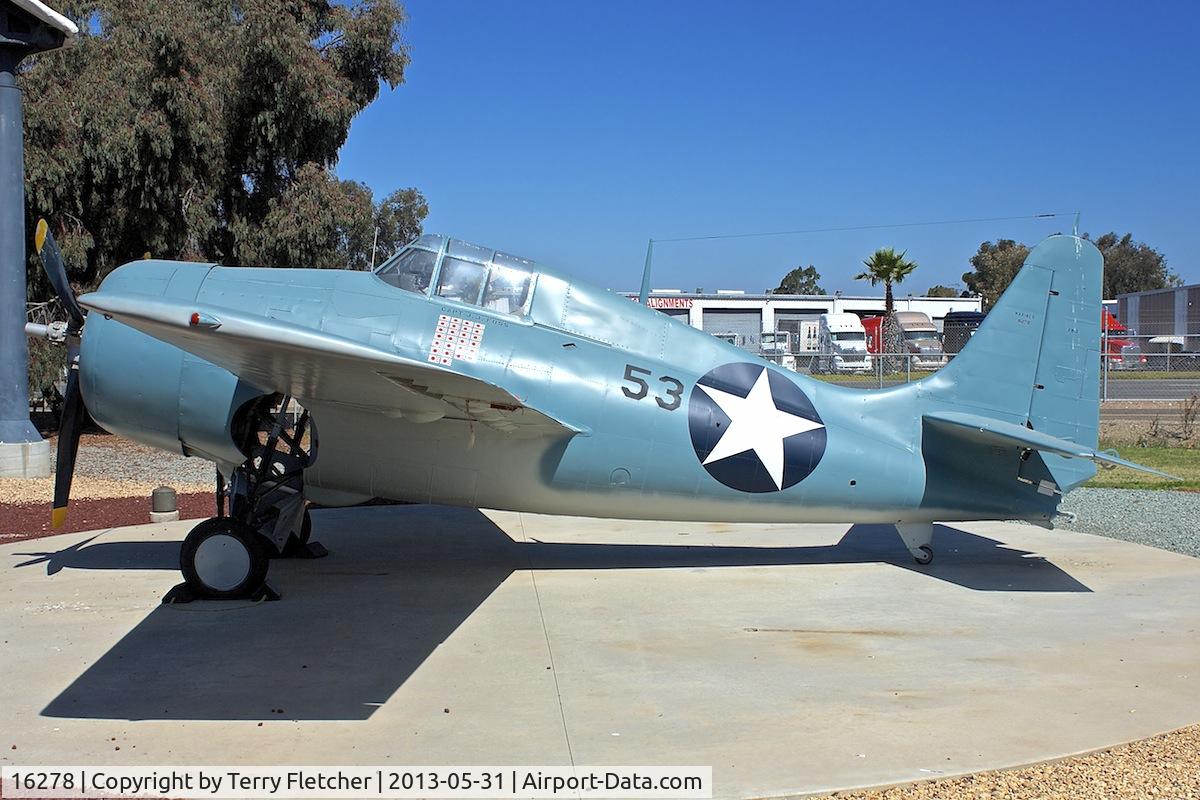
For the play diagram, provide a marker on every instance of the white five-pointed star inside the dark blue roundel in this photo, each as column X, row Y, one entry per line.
column 755, row 424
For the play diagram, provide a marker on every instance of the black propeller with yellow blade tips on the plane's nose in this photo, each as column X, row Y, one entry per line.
column 74, row 411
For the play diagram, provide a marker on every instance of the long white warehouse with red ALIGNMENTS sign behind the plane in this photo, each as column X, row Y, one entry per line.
column 748, row 316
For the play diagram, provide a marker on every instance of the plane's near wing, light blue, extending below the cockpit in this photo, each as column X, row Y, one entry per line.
column 323, row 369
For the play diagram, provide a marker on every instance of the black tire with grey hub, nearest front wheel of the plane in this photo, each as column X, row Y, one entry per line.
column 224, row 560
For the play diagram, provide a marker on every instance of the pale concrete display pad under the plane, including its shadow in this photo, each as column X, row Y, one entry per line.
column 791, row 659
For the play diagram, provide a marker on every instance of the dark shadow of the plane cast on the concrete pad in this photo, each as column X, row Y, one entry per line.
column 353, row 628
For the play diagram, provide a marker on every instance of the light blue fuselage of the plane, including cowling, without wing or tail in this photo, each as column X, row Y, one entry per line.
column 637, row 384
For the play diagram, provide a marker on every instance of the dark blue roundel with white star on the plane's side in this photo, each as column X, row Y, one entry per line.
column 754, row 430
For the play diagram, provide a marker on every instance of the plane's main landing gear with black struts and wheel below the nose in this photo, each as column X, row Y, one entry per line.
column 227, row 557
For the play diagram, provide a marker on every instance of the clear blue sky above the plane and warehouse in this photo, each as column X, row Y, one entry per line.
column 572, row 133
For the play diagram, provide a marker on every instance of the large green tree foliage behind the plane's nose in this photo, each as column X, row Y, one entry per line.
column 208, row 130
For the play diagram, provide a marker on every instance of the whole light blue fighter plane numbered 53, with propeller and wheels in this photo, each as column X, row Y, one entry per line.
column 463, row 376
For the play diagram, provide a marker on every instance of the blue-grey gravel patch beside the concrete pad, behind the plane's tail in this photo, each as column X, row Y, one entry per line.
column 1166, row 520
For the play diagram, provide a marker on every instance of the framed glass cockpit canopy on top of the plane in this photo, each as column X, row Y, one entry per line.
column 465, row 273
